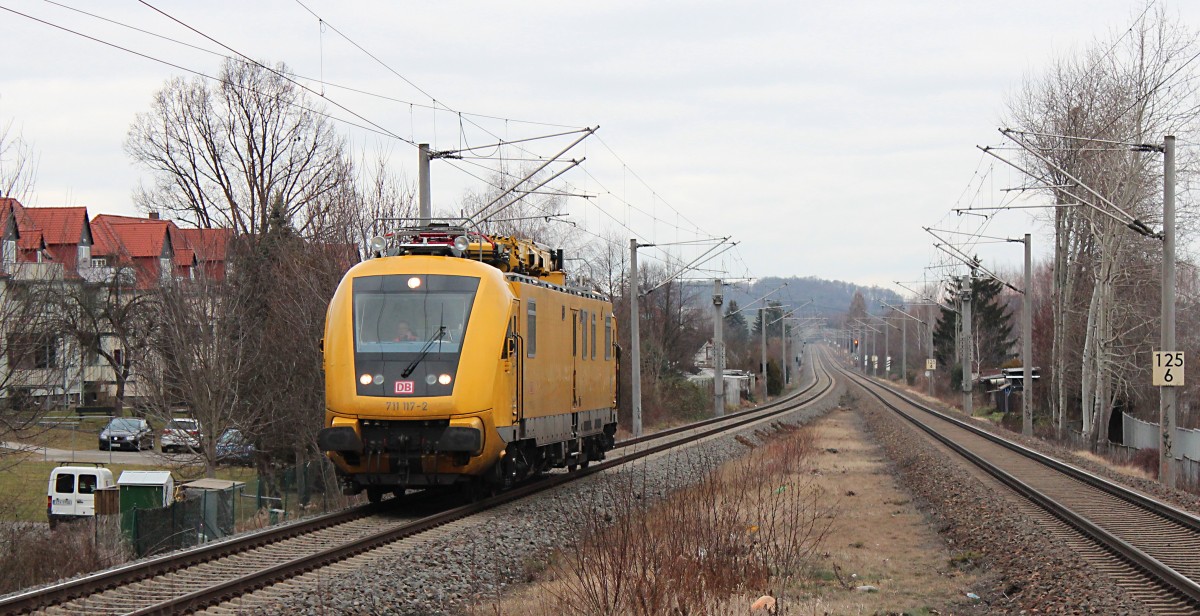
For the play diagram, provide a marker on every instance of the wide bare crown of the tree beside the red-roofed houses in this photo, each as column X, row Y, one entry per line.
column 220, row 156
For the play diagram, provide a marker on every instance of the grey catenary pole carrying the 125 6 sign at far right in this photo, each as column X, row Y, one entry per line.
column 1167, row 394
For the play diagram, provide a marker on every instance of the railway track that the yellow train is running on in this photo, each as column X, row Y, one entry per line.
column 221, row 572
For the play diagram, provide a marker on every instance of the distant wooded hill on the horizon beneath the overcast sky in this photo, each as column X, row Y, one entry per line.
column 831, row 298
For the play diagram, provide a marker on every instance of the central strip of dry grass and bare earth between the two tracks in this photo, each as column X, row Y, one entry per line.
column 808, row 517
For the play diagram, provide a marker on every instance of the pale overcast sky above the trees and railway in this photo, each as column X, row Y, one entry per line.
column 821, row 136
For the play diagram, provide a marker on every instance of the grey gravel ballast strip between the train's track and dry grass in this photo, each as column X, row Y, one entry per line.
column 475, row 561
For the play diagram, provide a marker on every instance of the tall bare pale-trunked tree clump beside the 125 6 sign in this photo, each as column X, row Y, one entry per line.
column 1114, row 93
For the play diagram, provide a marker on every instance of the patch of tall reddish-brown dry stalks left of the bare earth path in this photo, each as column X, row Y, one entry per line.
column 713, row 548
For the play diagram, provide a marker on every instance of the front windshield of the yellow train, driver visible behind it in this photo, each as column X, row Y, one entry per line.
column 412, row 314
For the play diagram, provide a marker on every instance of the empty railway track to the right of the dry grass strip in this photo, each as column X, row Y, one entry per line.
column 1144, row 546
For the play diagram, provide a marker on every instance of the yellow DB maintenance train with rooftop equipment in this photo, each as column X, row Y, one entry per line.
column 460, row 360
